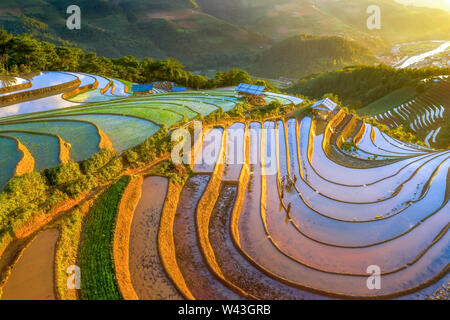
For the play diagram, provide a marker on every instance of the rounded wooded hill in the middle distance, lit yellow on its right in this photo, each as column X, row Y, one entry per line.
column 305, row 54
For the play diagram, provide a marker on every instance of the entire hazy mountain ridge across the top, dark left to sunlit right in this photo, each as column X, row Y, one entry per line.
column 214, row 34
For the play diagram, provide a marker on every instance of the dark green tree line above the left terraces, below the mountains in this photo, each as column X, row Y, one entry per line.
column 24, row 54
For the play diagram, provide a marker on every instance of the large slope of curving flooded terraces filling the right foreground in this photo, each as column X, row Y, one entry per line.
column 289, row 226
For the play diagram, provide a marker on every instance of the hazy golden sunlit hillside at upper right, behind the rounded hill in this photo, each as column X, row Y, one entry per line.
column 284, row 18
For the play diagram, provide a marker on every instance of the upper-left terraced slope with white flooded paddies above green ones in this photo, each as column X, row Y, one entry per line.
column 70, row 116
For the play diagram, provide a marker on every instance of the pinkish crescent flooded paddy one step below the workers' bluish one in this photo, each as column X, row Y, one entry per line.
column 389, row 256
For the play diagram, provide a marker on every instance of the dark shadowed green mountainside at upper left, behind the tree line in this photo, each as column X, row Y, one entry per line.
column 156, row 29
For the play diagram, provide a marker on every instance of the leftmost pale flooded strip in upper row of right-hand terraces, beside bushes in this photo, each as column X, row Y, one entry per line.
column 211, row 146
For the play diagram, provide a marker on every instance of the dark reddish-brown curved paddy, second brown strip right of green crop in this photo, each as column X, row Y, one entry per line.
column 200, row 281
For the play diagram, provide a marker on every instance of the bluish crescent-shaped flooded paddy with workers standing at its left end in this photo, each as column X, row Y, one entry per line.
column 342, row 233
